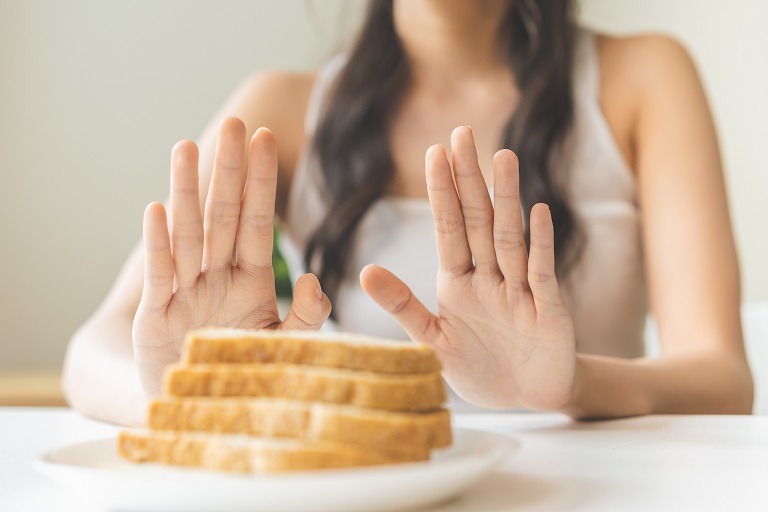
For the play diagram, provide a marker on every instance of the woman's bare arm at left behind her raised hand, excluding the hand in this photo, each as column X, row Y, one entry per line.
column 100, row 376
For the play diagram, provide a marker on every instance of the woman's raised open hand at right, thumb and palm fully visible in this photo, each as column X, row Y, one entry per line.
column 503, row 333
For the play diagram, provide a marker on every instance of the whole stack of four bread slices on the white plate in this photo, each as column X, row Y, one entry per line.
column 273, row 401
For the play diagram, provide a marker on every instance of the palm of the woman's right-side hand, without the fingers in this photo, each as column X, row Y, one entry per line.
column 490, row 331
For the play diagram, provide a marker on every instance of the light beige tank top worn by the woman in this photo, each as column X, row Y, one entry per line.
column 605, row 291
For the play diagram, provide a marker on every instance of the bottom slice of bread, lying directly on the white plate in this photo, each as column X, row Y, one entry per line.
column 245, row 454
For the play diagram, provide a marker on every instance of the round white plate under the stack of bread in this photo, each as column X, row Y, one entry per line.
column 94, row 471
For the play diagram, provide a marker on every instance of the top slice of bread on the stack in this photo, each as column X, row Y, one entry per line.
column 332, row 350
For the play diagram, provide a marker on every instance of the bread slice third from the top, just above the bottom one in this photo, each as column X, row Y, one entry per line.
column 406, row 434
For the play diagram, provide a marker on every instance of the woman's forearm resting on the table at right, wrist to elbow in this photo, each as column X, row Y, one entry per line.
column 607, row 387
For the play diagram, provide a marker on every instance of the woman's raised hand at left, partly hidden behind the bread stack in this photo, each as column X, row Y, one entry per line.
column 192, row 278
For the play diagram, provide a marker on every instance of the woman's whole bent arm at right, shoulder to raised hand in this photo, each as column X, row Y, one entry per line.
column 502, row 330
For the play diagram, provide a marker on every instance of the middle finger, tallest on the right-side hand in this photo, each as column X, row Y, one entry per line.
column 475, row 202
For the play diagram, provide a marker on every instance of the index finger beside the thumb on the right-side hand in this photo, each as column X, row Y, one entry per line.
column 452, row 248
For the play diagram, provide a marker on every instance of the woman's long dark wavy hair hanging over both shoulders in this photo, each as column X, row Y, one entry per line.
column 352, row 139
